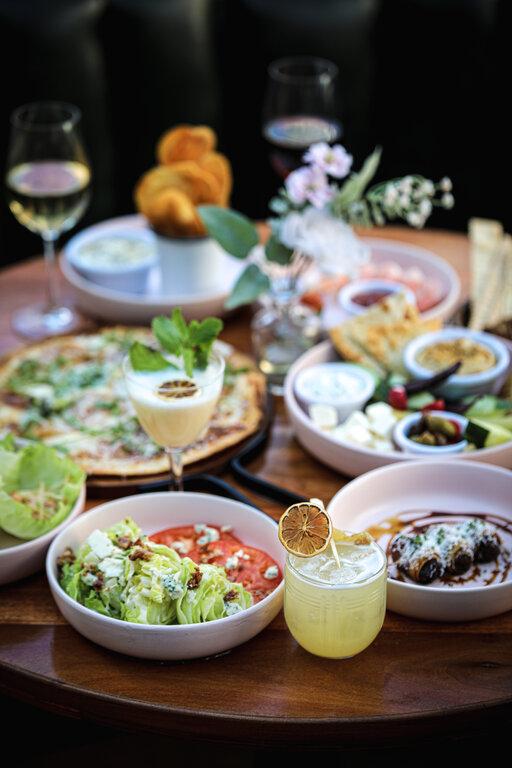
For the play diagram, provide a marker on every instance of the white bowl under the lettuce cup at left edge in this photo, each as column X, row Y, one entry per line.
column 23, row 560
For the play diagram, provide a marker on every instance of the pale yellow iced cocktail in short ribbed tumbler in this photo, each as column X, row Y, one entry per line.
column 336, row 612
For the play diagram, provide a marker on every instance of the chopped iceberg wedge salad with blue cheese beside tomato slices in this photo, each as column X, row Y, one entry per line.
column 122, row 573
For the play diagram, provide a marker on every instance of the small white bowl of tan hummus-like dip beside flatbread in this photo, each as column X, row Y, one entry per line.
column 485, row 360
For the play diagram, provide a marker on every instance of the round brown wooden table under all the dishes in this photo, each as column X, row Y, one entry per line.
column 417, row 678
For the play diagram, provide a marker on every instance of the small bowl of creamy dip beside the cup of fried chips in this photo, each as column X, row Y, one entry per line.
column 120, row 261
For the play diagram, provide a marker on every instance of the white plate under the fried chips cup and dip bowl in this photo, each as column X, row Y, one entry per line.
column 121, row 306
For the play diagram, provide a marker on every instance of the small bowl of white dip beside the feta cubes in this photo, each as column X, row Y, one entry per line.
column 344, row 386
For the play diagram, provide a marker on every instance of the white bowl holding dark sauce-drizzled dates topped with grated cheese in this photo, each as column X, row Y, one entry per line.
column 455, row 486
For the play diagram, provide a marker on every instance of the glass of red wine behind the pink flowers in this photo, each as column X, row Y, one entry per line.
column 299, row 109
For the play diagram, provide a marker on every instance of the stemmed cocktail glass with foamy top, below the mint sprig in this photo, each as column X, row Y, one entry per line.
column 174, row 409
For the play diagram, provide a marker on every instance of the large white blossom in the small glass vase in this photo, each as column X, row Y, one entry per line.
column 331, row 242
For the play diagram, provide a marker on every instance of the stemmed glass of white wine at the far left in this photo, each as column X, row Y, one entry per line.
column 48, row 186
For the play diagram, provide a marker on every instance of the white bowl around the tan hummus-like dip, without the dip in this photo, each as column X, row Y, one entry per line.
column 458, row 386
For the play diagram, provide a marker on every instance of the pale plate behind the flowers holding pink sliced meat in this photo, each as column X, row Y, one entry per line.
column 406, row 255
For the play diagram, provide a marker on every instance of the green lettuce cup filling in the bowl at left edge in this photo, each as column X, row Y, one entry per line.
column 38, row 488
